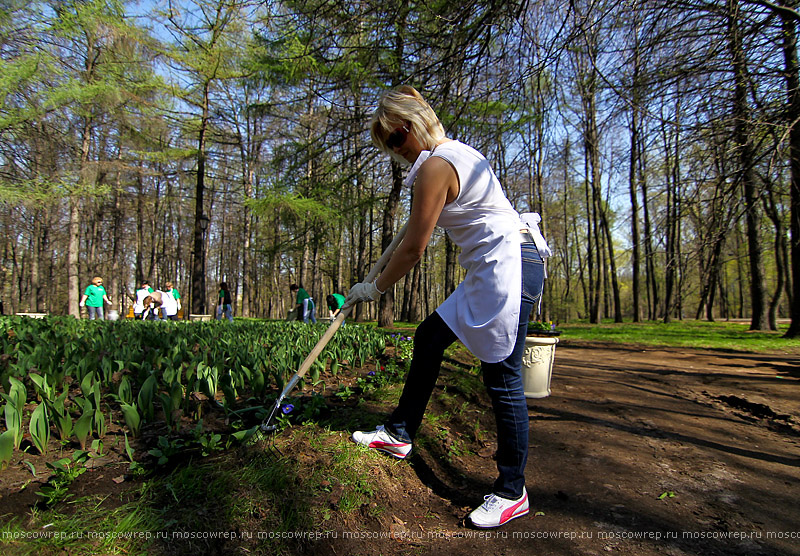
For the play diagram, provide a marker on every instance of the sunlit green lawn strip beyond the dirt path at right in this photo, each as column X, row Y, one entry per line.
column 689, row 333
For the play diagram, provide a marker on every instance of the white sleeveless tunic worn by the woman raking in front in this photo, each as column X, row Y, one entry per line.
column 483, row 311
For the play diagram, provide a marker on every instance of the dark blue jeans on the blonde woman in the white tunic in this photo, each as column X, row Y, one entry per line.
column 503, row 382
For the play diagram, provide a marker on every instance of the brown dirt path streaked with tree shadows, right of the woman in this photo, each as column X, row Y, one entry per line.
column 637, row 451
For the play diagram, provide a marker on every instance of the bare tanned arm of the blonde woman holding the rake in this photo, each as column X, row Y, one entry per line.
column 436, row 185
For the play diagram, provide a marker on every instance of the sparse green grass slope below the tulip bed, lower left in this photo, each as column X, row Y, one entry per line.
column 248, row 490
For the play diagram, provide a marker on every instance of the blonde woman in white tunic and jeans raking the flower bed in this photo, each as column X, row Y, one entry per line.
column 456, row 189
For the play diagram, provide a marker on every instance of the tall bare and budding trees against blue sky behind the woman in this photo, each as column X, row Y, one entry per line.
column 200, row 141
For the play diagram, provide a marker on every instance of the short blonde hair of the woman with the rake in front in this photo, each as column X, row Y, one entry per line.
column 405, row 105
